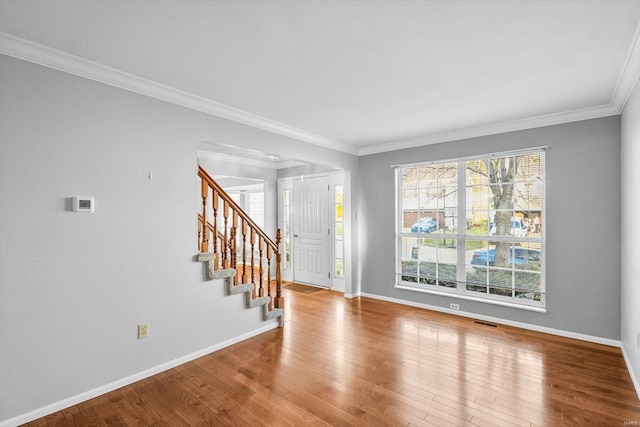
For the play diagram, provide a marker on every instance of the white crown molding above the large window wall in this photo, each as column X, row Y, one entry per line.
column 493, row 129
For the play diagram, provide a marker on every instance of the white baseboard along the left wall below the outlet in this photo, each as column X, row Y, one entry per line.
column 82, row 397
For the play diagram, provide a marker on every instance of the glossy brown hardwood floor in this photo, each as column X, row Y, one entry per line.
column 363, row 362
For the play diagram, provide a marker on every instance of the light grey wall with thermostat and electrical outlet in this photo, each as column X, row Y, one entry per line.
column 73, row 287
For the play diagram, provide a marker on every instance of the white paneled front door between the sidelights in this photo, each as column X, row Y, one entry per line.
column 311, row 234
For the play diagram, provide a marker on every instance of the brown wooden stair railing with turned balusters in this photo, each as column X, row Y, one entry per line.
column 223, row 241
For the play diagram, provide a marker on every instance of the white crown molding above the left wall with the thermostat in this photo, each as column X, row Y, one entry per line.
column 43, row 55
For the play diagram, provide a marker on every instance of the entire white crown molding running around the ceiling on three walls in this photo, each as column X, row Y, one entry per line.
column 53, row 58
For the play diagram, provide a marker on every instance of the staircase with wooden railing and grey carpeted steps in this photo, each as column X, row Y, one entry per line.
column 229, row 233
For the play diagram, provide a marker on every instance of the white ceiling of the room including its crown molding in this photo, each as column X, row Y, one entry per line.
column 357, row 76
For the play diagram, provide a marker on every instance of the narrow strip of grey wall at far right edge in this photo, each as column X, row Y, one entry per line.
column 630, row 180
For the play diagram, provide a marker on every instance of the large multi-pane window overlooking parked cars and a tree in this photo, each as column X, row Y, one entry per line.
column 472, row 228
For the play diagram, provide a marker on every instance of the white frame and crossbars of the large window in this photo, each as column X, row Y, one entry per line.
column 460, row 291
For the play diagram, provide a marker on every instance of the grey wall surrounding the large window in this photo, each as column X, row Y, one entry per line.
column 582, row 224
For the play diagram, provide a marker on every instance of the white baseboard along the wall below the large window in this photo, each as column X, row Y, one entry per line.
column 521, row 325
